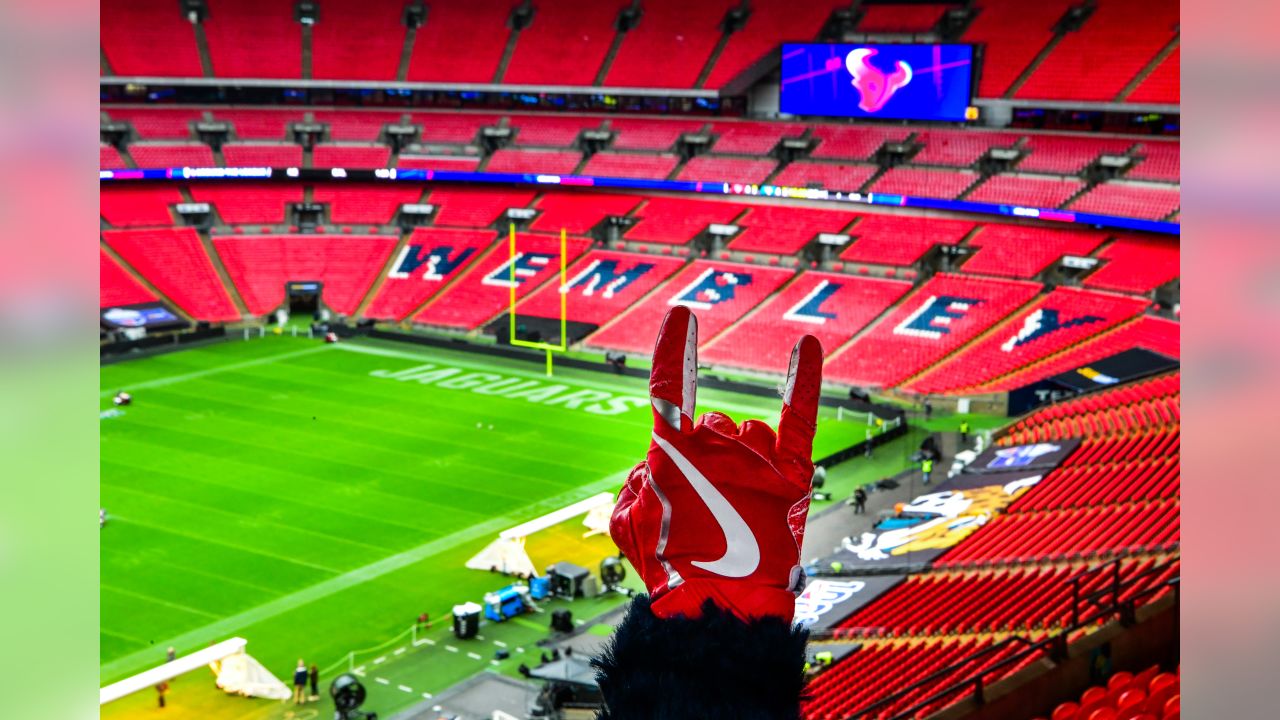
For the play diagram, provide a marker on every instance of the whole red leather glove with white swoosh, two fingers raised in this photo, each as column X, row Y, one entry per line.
column 719, row 511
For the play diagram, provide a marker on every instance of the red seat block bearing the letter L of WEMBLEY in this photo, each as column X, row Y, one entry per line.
column 830, row 307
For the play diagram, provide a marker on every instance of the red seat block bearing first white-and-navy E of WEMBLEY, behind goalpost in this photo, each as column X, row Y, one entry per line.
column 484, row 291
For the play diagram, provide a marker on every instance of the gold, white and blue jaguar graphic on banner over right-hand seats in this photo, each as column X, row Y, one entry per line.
column 932, row 523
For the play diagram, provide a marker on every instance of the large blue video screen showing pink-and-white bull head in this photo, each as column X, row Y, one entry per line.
column 912, row 83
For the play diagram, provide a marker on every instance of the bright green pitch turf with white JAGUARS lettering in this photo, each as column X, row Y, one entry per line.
column 316, row 499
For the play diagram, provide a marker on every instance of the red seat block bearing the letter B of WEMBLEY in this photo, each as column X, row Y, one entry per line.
column 719, row 293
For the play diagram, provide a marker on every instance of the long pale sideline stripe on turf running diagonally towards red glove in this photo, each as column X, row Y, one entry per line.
column 227, row 626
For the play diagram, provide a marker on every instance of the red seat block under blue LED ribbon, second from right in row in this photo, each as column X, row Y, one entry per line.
column 1017, row 252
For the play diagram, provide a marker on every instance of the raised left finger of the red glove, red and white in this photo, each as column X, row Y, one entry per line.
column 674, row 379
